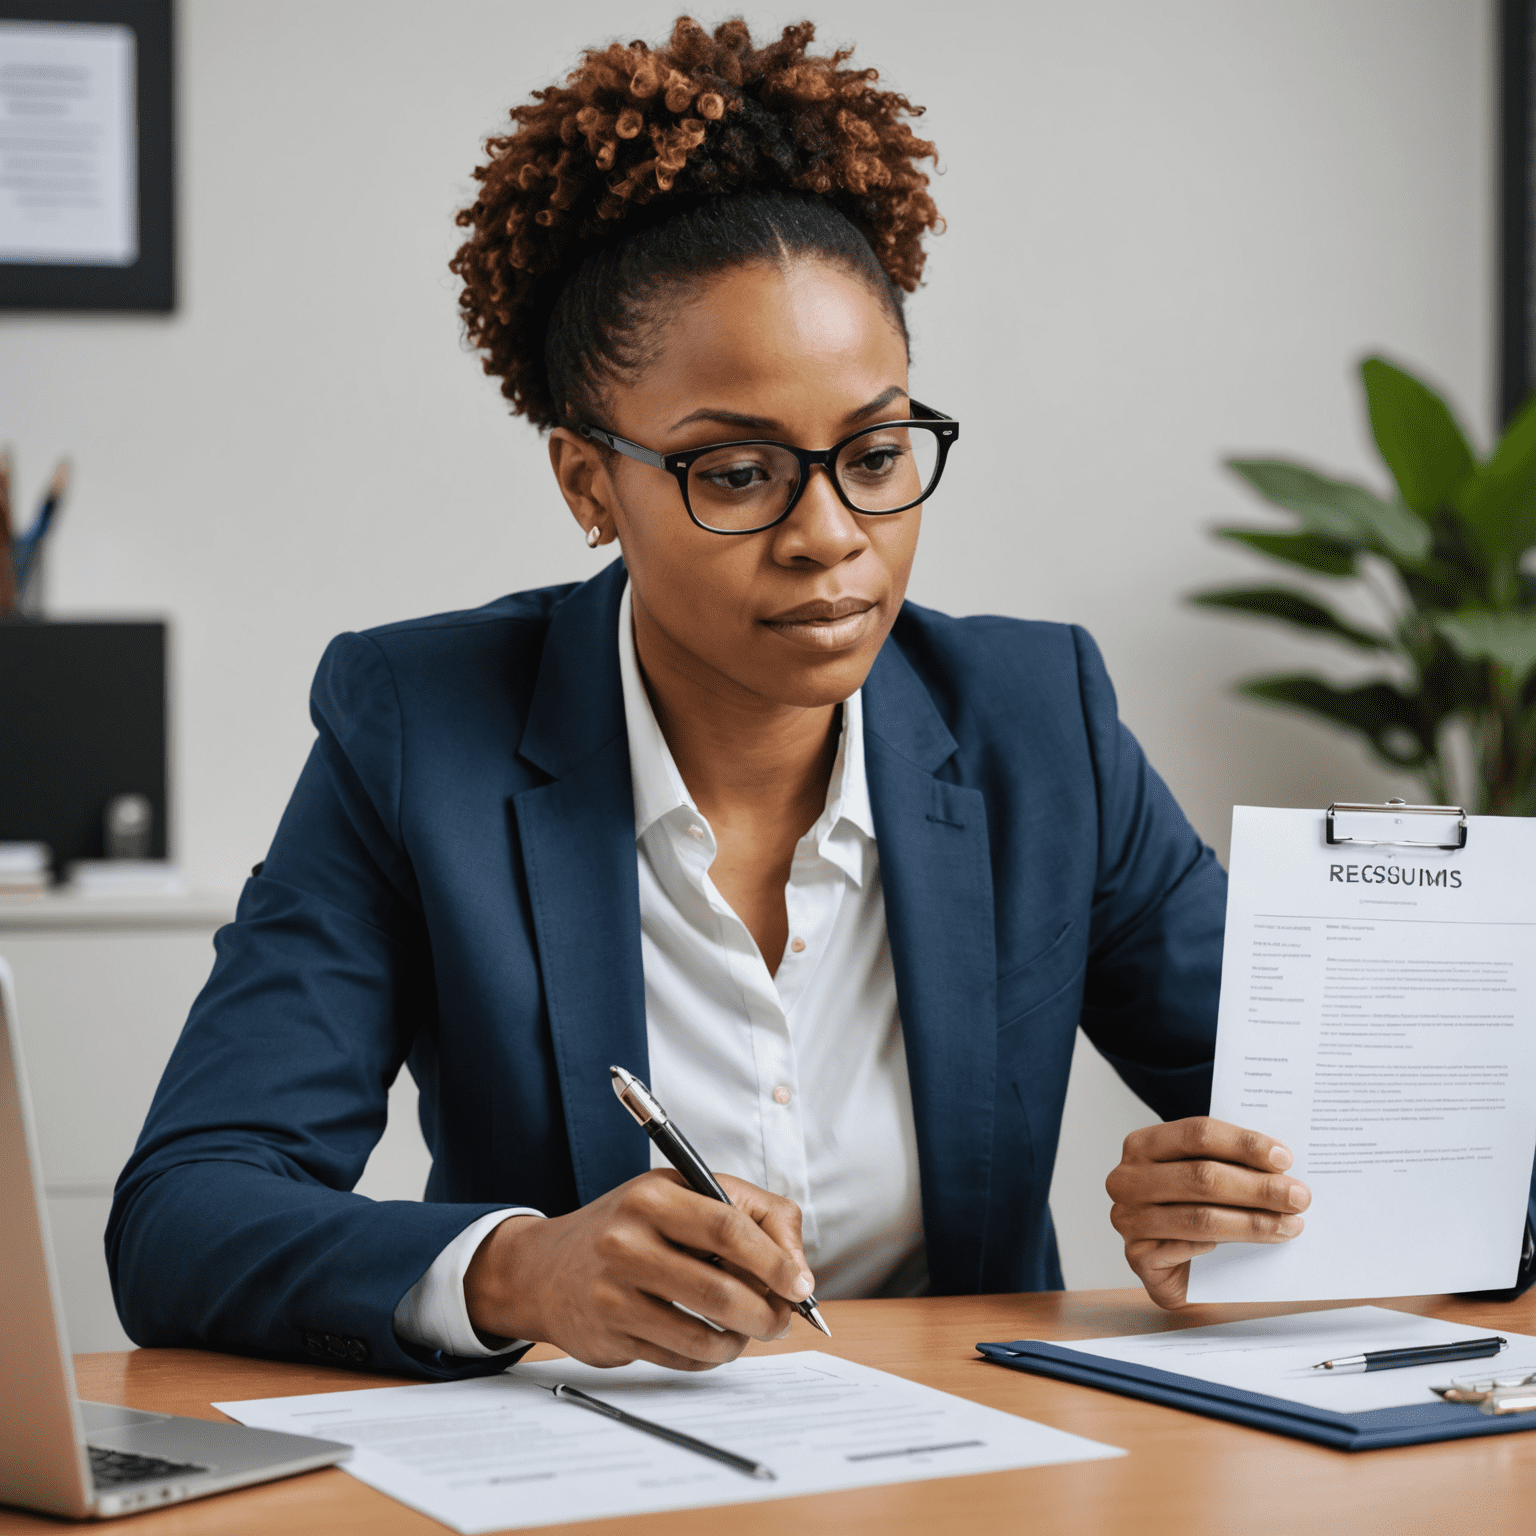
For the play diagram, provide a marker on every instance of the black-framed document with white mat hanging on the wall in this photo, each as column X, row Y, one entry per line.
column 87, row 156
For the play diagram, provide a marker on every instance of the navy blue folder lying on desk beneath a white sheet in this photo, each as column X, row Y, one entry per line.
column 1371, row 1431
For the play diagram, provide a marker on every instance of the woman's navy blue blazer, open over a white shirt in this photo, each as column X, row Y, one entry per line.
column 454, row 886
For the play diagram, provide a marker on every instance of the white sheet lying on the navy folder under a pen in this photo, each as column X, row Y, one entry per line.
column 1276, row 1356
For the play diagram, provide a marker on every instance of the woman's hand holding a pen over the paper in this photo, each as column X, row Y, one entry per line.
column 601, row 1282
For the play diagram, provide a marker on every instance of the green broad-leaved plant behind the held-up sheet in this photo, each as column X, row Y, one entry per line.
column 1445, row 566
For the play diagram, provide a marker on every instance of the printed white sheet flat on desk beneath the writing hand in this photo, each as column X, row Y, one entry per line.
column 502, row 1452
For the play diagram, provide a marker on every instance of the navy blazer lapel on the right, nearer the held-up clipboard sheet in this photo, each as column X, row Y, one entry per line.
column 936, row 872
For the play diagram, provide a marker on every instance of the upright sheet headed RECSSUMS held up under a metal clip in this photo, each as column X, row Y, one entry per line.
column 1379, row 1016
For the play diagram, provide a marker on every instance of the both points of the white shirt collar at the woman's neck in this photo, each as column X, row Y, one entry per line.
column 660, row 789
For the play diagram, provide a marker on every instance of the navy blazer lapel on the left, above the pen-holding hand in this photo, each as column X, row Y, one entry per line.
column 578, row 852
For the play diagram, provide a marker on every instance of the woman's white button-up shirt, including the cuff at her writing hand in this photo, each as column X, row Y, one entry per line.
column 795, row 1079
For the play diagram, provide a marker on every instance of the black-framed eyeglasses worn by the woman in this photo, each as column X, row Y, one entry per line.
column 755, row 485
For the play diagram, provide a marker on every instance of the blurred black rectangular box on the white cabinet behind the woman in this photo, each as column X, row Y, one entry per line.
column 82, row 721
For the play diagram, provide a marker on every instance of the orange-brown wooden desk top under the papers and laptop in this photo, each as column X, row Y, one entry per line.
column 1185, row 1475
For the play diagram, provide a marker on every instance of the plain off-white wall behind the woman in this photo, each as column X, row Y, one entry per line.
column 1173, row 230
